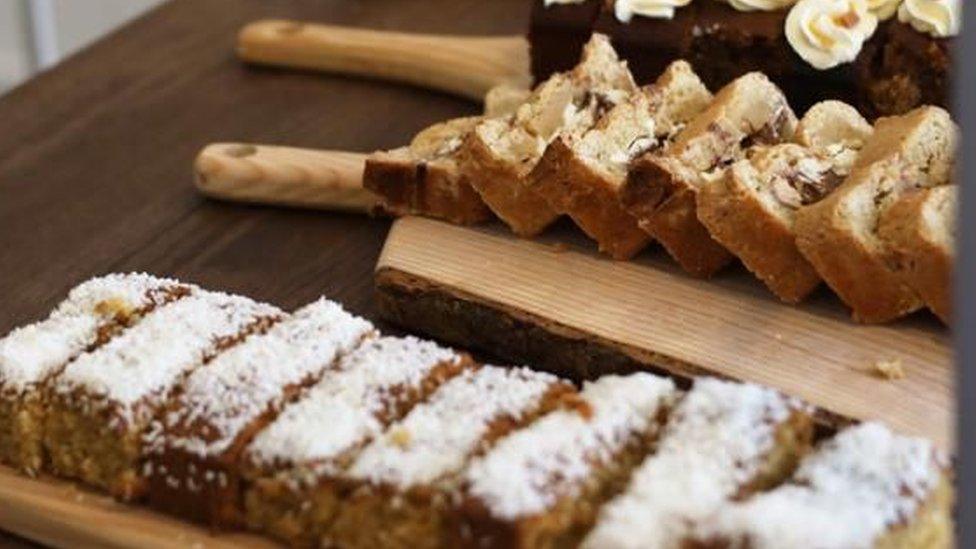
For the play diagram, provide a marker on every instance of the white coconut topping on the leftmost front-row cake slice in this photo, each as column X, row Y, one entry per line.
column 30, row 354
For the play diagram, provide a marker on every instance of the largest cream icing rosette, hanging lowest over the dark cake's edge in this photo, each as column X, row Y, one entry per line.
column 827, row 33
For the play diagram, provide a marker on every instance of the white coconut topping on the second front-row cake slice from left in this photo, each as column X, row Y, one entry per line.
column 147, row 359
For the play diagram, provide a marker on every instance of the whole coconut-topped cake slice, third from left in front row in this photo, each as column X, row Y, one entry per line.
column 195, row 443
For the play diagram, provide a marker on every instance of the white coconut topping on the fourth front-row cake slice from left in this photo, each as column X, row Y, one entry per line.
column 346, row 407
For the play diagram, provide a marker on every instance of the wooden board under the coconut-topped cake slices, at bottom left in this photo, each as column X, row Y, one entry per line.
column 61, row 514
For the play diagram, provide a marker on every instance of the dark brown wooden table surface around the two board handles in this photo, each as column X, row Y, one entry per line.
column 96, row 154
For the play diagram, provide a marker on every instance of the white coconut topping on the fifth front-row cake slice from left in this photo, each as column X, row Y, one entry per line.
column 436, row 438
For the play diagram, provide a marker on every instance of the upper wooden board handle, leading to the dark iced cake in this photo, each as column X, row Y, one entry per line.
column 466, row 66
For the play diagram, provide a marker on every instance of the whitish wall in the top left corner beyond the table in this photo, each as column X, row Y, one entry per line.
column 72, row 24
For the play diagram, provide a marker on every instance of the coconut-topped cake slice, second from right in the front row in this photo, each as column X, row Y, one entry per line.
column 723, row 441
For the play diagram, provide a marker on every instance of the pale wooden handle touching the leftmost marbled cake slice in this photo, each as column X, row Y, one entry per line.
column 288, row 176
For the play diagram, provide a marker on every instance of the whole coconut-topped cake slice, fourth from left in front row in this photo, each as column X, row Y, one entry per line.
column 293, row 468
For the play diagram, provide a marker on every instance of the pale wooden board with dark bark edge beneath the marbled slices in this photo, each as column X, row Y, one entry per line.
column 557, row 304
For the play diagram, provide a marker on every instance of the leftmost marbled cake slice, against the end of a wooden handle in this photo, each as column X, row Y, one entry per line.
column 424, row 179
